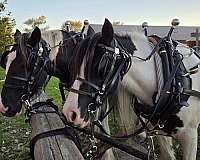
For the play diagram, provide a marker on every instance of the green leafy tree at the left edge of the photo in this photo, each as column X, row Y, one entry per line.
column 7, row 24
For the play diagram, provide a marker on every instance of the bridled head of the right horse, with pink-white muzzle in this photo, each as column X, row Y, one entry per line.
column 97, row 66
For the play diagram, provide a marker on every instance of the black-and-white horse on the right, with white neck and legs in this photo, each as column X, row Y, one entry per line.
column 98, row 69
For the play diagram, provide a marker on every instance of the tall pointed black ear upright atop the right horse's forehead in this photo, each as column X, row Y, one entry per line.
column 107, row 32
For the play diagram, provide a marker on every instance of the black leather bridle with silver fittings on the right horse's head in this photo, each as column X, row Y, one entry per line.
column 119, row 66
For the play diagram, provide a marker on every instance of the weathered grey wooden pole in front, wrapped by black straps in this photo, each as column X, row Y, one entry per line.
column 56, row 147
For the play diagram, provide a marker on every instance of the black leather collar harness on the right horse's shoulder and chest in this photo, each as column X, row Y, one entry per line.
column 176, row 90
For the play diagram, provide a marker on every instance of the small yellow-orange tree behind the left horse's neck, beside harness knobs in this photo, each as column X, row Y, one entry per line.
column 73, row 25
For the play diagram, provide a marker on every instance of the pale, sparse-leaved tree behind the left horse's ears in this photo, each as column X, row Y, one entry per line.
column 40, row 22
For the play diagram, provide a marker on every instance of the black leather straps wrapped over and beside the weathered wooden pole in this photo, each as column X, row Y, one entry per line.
column 69, row 132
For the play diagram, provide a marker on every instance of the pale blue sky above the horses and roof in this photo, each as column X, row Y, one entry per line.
column 134, row 12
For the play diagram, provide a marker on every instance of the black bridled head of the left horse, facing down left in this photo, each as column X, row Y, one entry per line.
column 26, row 73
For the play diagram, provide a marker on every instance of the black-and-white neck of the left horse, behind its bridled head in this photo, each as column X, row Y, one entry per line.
column 63, row 53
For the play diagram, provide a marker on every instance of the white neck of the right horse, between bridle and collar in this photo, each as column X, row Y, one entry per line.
column 141, row 79
